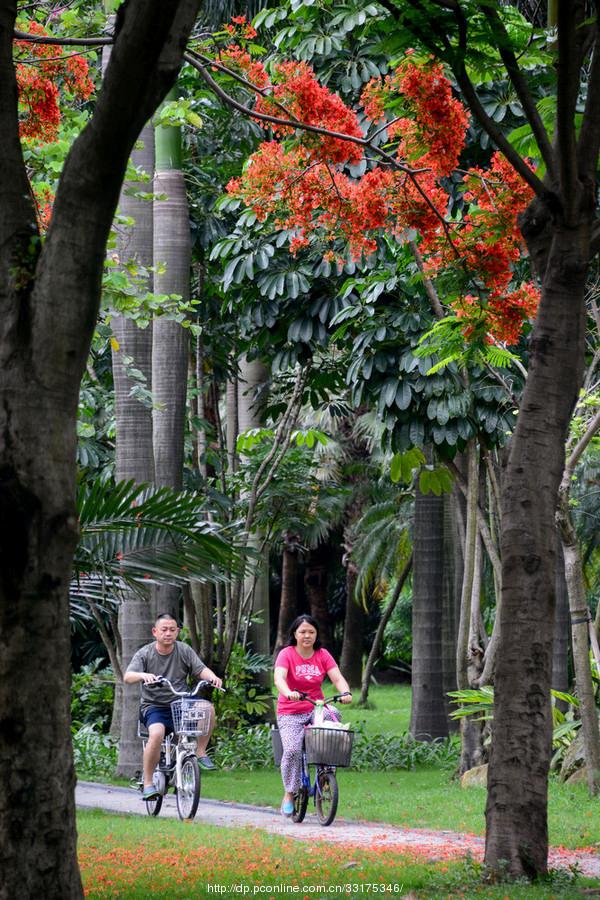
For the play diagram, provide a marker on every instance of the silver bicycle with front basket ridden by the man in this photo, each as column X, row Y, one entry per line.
column 178, row 763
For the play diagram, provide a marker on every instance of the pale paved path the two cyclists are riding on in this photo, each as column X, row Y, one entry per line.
column 342, row 831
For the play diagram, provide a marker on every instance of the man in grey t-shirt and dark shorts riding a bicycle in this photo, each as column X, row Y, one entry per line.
column 166, row 657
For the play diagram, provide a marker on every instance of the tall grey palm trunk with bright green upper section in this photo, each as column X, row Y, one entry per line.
column 170, row 344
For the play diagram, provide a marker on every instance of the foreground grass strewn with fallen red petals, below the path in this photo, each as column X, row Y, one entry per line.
column 138, row 858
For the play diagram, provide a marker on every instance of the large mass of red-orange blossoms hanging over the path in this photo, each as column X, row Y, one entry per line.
column 302, row 187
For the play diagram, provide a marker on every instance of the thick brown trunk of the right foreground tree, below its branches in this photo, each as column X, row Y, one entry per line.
column 516, row 812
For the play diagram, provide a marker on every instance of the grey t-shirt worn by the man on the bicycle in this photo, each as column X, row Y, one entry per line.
column 177, row 666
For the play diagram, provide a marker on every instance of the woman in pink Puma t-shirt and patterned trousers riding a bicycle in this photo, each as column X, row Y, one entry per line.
column 300, row 668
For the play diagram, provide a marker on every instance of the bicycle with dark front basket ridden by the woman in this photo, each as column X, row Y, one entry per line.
column 327, row 748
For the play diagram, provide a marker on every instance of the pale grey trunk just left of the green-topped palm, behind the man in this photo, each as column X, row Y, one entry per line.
column 133, row 445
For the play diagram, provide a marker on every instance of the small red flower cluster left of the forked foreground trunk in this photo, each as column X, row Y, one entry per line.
column 39, row 83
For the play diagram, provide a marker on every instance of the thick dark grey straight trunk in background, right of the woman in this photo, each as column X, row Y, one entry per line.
column 428, row 713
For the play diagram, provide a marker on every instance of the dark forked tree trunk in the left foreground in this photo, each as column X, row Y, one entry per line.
column 49, row 297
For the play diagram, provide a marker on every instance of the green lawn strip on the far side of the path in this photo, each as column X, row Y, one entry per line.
column 423, row 798
